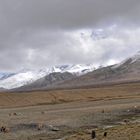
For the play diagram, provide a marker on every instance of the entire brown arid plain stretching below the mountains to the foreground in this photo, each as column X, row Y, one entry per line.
column 72, row 114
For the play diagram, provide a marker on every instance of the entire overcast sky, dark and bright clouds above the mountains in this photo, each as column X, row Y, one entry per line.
column 42, row 33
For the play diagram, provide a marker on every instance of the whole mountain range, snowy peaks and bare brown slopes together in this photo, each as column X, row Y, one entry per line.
column 72, row 76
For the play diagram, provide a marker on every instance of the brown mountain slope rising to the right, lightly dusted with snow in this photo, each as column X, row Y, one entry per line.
column 125, row 72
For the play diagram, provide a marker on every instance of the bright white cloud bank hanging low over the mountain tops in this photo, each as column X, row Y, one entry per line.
column 43, row 48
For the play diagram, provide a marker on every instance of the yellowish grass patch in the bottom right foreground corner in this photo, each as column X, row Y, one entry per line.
column 122, row 132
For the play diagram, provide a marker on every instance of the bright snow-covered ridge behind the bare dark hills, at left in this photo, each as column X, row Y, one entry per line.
column 25, row 77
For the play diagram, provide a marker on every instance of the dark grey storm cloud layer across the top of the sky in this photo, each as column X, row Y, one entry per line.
column 65, row 13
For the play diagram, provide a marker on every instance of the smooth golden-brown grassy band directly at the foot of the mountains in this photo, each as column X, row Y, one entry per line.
column 60, row 96
